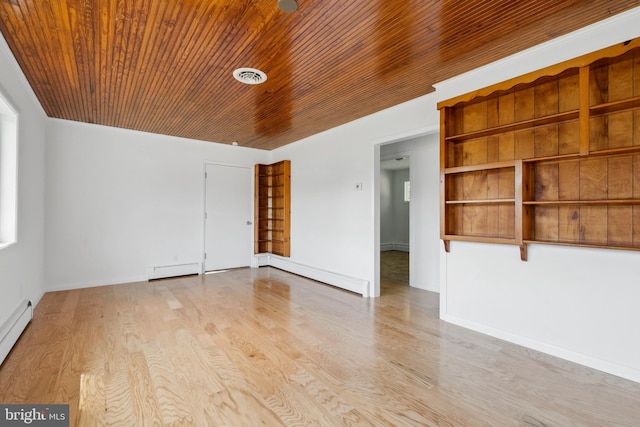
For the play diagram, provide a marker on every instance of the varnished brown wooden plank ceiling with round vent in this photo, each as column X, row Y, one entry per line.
column 165, row 66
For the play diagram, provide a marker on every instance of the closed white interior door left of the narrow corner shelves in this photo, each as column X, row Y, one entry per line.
column 228, row 217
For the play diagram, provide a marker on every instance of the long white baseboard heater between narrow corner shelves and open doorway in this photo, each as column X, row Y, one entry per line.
column 353, row 284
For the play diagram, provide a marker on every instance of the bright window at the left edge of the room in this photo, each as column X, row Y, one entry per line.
column 8, row 173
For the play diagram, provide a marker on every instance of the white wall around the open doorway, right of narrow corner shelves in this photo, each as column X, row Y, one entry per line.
column 334, row 227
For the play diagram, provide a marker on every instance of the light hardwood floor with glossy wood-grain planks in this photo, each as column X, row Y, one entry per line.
column 262, row 347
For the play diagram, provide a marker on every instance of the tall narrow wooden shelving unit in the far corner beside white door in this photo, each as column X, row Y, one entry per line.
column 273, row 208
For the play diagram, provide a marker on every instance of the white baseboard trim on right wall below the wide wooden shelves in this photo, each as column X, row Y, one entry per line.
column 572, row 356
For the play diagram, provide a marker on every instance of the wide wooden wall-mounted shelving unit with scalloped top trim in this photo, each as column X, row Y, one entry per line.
column 550, row 157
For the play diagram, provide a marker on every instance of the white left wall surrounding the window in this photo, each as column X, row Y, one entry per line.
column 21, row 264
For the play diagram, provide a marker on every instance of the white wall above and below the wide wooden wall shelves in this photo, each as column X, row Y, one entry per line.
column 576, row 303
